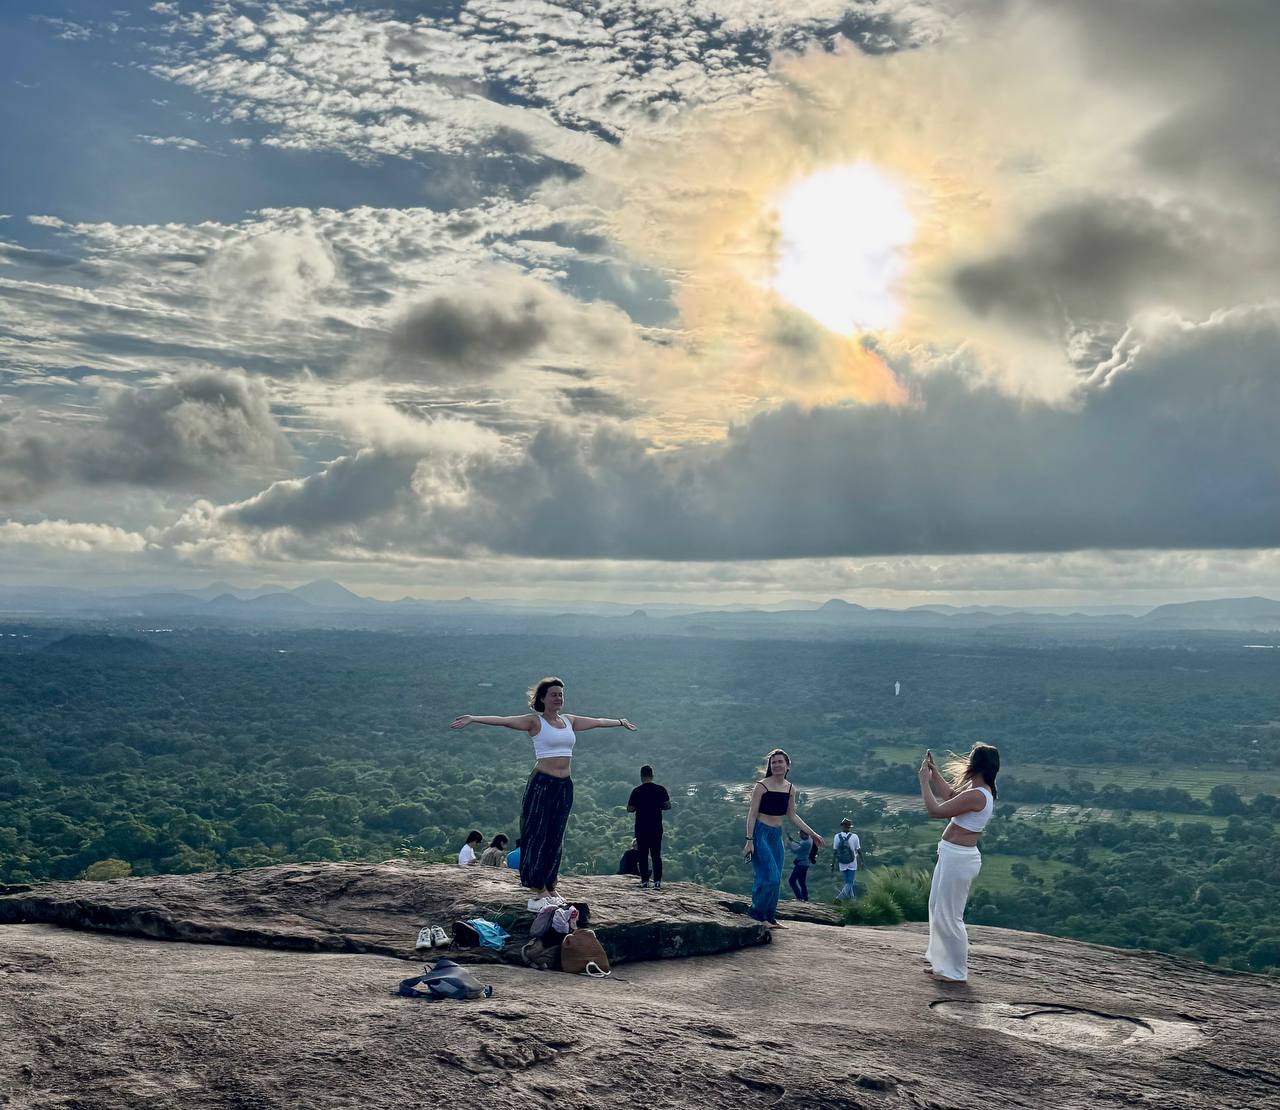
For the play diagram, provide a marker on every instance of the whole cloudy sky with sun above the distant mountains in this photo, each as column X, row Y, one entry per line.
column 902, row 302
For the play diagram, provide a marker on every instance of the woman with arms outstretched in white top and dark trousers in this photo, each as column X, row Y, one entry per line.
column 550, row 792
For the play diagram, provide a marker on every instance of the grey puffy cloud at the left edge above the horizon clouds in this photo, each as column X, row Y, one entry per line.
column 186, row 433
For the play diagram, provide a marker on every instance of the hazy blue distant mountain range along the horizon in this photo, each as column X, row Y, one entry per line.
column 330, row 604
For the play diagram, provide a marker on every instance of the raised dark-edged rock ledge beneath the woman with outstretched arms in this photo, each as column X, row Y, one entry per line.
column 380, row 908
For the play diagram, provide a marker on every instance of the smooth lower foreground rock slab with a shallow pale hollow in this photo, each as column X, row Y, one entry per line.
column 821, row 1018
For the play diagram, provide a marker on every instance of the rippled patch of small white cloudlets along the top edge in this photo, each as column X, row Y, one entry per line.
column 574, row 83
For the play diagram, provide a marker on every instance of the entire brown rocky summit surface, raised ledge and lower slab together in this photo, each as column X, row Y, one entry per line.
column 281, row 993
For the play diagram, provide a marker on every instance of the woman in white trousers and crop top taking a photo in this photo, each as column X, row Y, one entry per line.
column 967, row 798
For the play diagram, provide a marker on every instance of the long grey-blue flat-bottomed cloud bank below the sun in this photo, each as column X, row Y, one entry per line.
column 1159, row 455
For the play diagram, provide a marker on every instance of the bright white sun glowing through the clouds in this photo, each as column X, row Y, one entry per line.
column 844, row 239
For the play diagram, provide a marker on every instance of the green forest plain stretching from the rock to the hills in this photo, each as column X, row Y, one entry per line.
column 199, row 750
